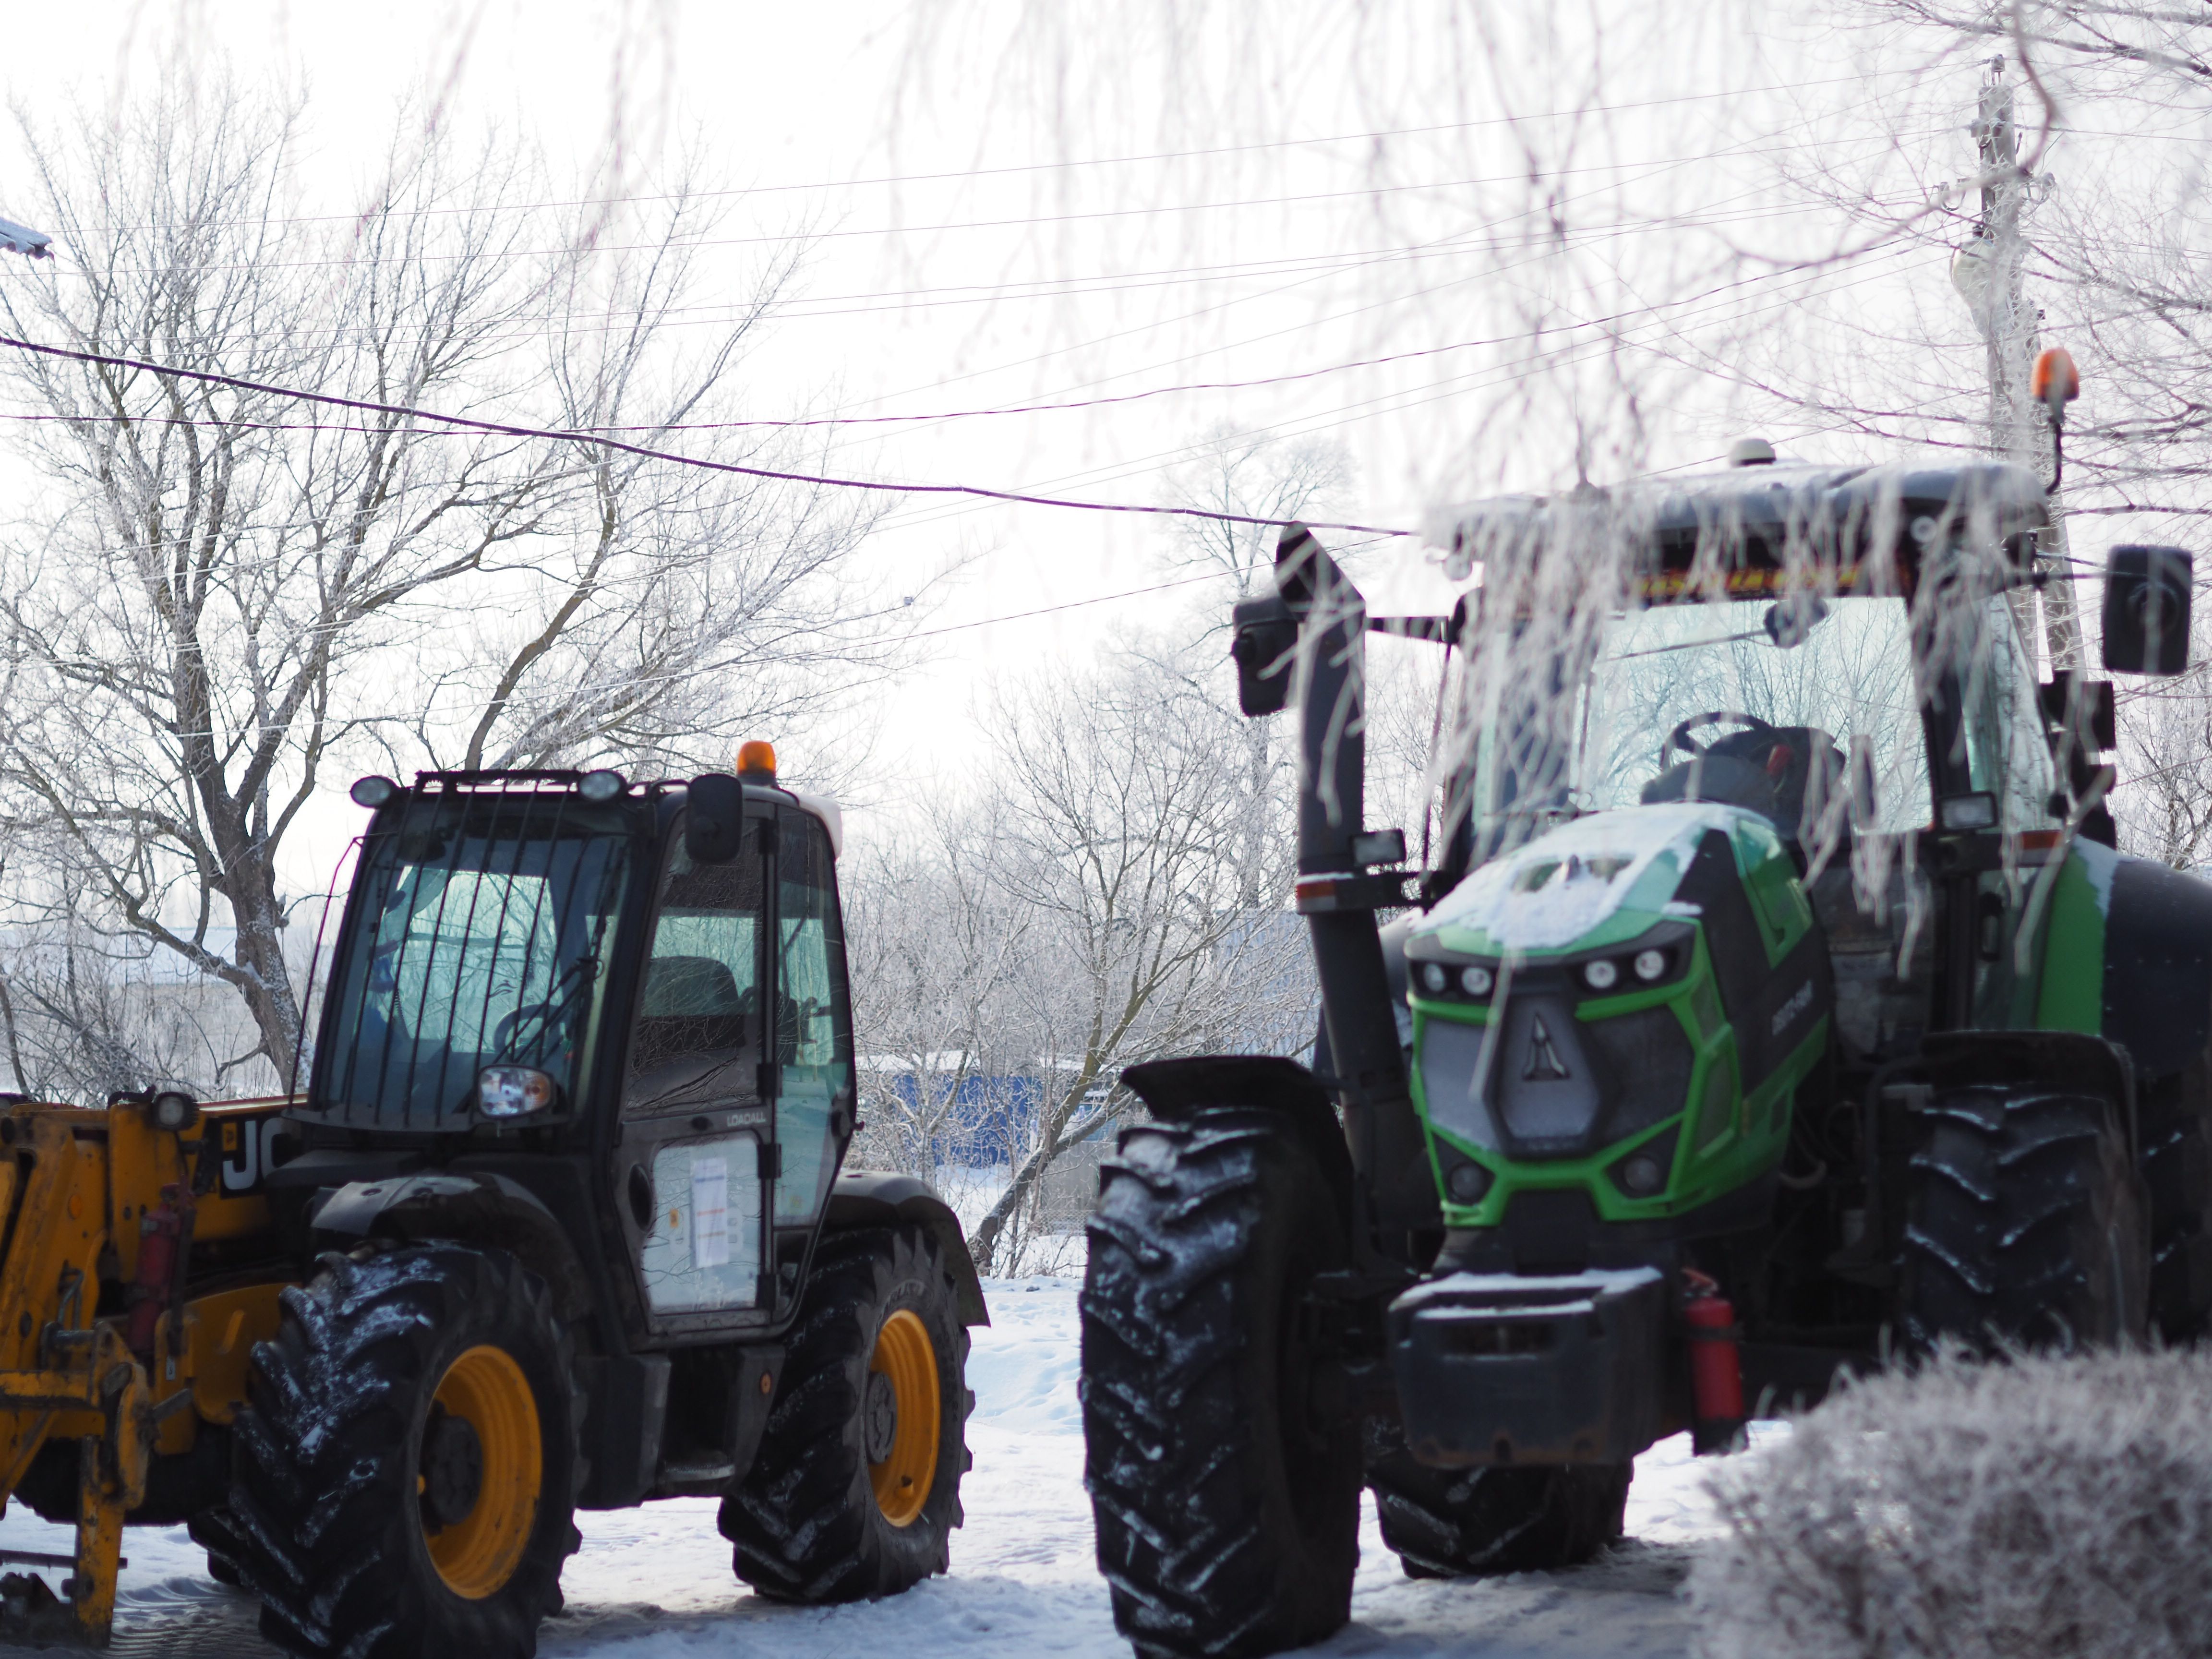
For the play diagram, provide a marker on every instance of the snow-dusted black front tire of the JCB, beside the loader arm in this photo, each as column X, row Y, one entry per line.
column 337, row 1541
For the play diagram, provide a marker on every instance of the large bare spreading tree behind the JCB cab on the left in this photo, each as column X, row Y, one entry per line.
column 225, row 594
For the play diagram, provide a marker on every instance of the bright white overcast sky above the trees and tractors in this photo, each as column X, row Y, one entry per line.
column 1019, row 278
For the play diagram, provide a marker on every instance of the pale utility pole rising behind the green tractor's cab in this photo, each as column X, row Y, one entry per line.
column 1992, row 275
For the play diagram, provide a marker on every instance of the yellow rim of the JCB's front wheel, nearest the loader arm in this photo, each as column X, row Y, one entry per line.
column 479, row 1552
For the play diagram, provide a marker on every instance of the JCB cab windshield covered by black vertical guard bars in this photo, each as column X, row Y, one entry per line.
column 479, row 937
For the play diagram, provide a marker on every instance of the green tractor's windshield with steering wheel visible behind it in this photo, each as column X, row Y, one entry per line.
column 1702, row 700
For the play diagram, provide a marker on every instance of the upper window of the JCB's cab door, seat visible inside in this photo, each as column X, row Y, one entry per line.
column 698, row 1032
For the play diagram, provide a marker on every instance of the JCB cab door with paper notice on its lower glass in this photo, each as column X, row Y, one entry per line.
column 696, row 1162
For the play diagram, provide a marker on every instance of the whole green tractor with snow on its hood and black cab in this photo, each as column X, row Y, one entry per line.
column 1777, row 1008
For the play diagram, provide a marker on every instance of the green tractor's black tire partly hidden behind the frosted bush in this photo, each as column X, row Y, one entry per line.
column 2025, row 1224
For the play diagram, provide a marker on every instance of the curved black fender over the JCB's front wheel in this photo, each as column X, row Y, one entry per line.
column 470, row 1209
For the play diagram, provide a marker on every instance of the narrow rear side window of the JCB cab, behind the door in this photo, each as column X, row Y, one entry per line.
column 813, row 1016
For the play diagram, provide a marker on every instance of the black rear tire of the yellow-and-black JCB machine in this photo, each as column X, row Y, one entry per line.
column 806, row 1523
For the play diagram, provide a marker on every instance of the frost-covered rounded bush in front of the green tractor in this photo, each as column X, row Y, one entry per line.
column 1974, row 1512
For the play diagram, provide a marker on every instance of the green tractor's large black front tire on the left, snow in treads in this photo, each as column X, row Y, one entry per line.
column 1222, row 1437
